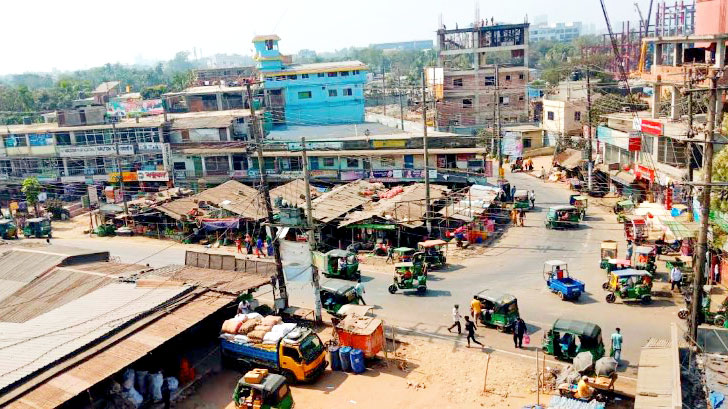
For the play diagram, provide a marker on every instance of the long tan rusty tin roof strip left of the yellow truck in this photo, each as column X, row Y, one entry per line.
column 116, row 357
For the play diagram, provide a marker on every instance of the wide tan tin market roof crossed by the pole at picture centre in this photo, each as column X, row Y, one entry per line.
column 406, row 208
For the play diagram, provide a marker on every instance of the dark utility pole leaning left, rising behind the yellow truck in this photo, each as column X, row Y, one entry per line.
column 256, row 130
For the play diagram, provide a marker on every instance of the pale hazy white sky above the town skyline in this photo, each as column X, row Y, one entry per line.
column 66, row 35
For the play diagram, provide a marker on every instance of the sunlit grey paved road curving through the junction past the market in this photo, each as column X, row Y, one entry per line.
column 513, row 264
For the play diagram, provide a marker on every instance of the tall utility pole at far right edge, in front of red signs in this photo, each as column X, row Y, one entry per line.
column 696, row 306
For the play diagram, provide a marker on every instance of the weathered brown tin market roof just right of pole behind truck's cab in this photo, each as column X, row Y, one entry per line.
column 341, row 200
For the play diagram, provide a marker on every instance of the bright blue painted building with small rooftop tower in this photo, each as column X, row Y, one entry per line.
column 310, row 94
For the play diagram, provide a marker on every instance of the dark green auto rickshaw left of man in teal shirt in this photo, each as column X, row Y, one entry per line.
column 569, row 337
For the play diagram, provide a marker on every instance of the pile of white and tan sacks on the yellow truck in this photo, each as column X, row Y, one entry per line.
column 255, row 329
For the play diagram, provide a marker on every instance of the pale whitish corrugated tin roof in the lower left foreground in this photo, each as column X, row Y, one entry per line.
column 28, row 347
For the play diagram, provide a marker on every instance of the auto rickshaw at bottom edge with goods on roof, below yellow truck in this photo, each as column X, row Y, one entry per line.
column 272, row 392
